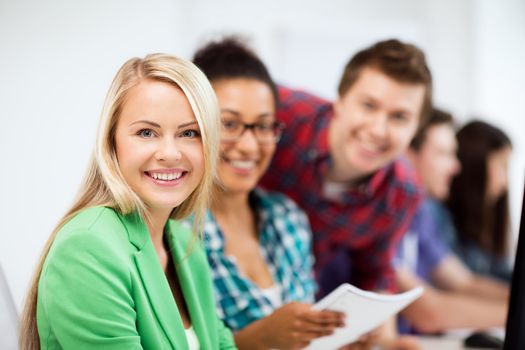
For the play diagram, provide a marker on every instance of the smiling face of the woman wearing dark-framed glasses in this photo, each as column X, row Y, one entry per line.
column 244, row 161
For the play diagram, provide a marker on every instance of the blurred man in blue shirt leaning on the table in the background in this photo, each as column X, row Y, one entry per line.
column 454, row 297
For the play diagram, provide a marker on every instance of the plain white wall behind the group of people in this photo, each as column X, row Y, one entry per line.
column 57, row 59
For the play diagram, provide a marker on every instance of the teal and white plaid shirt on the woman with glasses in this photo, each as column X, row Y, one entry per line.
column 285, row 243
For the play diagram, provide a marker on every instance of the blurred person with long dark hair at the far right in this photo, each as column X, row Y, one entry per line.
column 479, row 200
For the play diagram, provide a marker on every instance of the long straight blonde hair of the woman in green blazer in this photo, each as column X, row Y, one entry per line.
column 104, row 185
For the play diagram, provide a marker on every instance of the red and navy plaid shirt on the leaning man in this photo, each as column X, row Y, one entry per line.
column 356, row 237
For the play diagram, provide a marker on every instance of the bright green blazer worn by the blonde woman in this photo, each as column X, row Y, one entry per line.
column 102, row 287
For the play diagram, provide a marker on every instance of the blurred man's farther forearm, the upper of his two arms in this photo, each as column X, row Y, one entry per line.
column 452, row 275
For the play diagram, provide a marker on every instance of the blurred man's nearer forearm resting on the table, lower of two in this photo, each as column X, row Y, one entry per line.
column 437, row 310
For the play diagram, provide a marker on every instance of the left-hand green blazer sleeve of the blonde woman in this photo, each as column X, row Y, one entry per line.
column 84, row 297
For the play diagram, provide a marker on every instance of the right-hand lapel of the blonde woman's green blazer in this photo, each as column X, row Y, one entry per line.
column 182, row 250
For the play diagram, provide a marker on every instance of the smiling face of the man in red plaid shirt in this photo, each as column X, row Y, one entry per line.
column 373, row 124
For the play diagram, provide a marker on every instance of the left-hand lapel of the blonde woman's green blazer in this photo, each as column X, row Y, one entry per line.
column 155, row 282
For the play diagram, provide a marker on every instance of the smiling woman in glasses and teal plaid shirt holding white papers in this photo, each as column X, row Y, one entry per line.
column 258, row 243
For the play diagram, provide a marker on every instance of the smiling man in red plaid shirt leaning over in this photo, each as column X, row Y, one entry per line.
column 341, row 163
